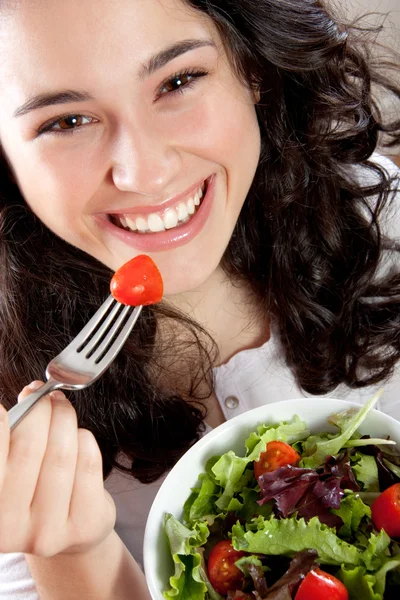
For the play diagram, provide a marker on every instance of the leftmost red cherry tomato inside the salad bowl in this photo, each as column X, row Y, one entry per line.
column 222, row 572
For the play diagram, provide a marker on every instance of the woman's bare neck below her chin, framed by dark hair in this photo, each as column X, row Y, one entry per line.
column 228, row 312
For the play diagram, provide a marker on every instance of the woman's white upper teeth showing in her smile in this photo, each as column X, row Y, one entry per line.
column 170, row 219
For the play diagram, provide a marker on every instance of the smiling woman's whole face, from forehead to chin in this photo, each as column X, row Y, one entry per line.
column 127, row 130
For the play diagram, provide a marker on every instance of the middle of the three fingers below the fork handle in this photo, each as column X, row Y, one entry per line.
column 51, row 502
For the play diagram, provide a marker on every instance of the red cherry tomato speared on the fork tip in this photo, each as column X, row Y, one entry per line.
column 137, row 282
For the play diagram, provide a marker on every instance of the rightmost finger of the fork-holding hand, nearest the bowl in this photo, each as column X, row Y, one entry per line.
column 92, row 514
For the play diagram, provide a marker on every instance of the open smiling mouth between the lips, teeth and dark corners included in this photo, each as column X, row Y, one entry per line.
column 172, row 217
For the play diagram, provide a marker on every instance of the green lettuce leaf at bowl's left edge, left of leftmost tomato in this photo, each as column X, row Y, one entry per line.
column 187, row 582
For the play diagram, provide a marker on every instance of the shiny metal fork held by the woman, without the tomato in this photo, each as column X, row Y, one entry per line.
column 87, row 357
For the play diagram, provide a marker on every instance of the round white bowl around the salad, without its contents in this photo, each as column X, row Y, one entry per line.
column 231, row 435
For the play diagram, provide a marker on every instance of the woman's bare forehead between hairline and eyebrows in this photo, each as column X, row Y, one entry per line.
column 44, row 41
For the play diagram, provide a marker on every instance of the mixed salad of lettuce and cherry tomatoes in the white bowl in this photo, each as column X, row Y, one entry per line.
column 297, row 517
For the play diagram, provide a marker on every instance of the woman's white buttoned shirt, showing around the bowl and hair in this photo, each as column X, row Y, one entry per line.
column 250, row 379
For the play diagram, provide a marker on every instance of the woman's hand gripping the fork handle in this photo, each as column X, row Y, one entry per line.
column 52, row 497
